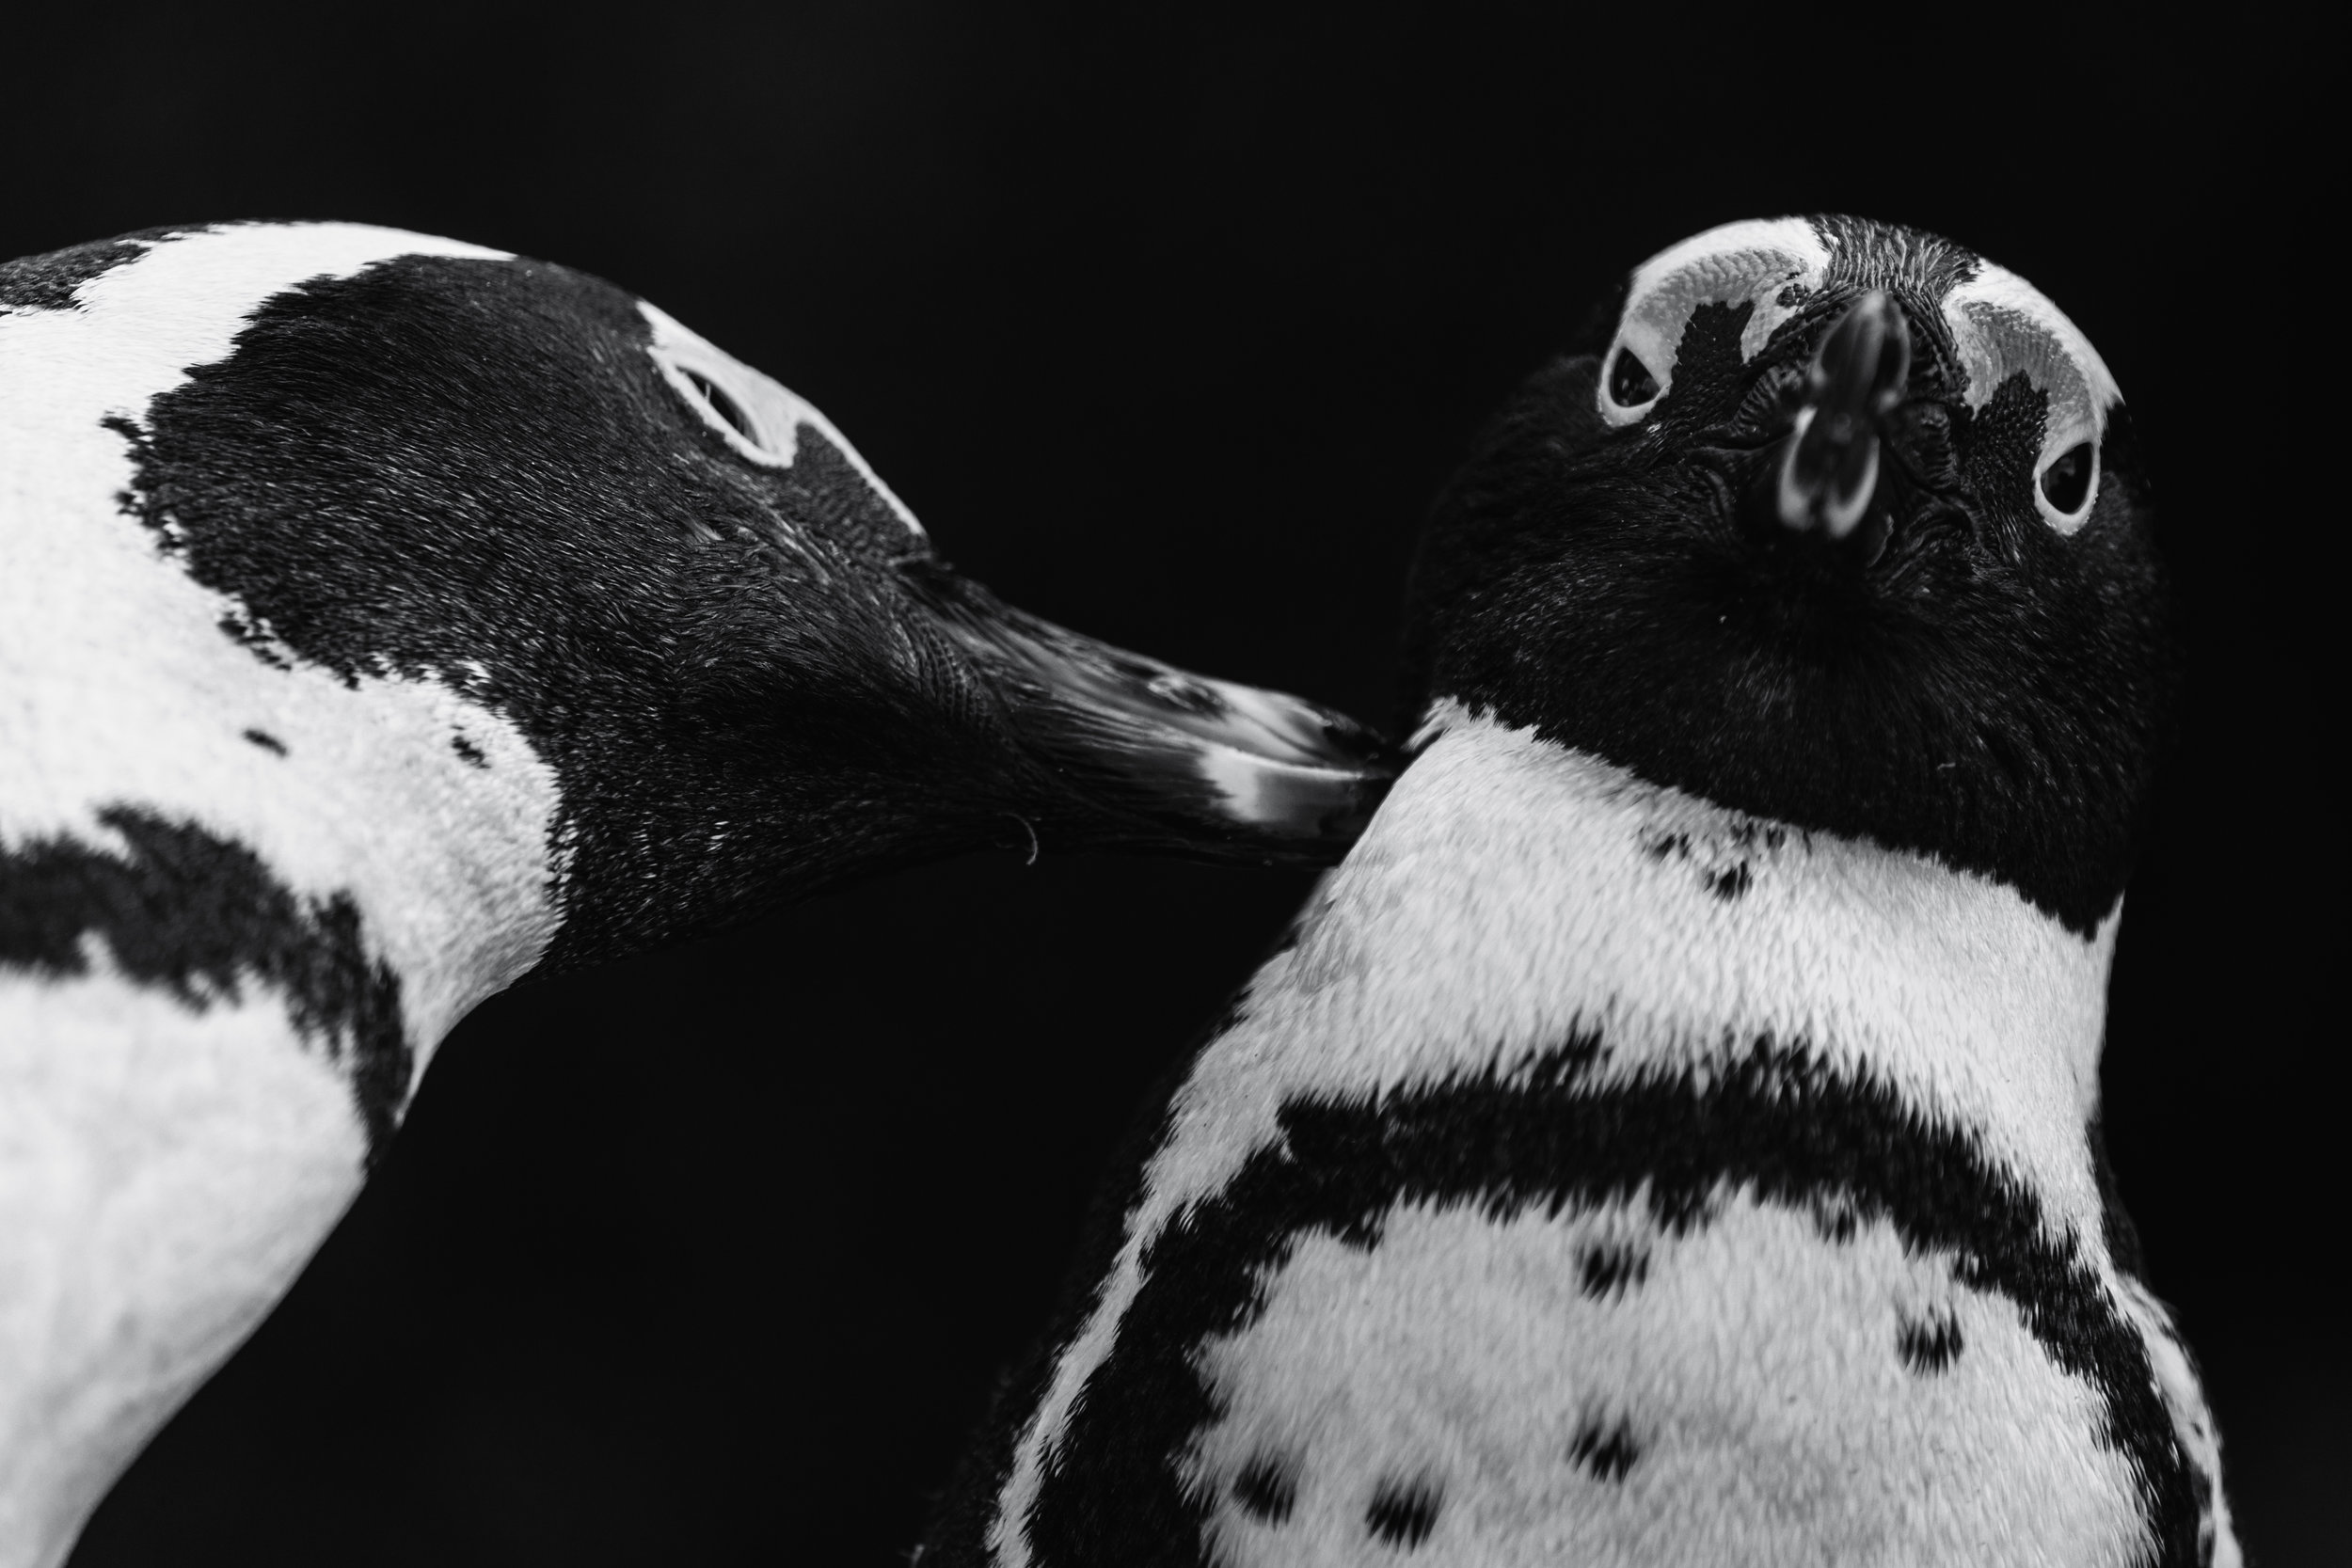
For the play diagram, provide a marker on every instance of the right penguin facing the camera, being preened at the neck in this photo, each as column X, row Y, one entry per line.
column 1673, row 1134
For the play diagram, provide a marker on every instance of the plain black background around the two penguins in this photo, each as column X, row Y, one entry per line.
column 1170, row 326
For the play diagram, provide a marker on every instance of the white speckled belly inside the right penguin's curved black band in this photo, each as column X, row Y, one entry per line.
column 1732, row 1395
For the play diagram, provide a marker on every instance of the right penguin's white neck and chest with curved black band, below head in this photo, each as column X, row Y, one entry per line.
column 1610, row 1177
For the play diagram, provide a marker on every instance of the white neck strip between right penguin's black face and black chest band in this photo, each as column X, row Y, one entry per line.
column 1518, row 899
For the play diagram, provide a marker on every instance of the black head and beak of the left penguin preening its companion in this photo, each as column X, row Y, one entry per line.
column 737, row 652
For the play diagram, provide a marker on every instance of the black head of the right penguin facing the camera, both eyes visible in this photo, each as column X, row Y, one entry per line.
column 1840, row 525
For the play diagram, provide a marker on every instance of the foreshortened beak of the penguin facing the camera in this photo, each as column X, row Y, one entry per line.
column 1831, row 467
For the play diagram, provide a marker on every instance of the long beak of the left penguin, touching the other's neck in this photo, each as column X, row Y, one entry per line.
column 1161, row 758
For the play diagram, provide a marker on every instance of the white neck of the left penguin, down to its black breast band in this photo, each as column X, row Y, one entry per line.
column 401, row 800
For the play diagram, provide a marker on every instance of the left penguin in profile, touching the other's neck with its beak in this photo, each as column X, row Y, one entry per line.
column 385, row 619
